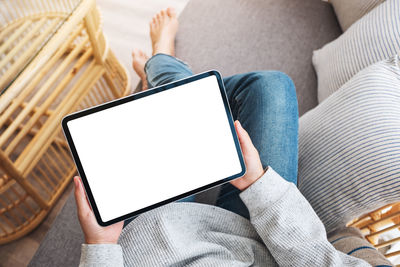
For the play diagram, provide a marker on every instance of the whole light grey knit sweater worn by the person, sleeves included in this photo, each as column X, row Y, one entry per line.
column 283, row 230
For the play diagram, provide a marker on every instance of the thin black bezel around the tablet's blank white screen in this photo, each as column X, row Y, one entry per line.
column 133, row 97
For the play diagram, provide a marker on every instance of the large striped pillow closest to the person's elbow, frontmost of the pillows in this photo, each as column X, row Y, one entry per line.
column 349, row 147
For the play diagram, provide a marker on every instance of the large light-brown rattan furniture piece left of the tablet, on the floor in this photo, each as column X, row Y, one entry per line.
column 74, row 70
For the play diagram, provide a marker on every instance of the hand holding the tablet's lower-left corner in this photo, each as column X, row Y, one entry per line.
column 94, row 233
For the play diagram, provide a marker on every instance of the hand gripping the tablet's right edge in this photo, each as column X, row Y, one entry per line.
column 251, row 159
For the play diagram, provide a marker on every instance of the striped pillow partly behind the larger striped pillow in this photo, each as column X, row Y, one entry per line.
column 373, row 38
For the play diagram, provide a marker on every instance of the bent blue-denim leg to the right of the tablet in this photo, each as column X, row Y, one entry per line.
column 265, row 103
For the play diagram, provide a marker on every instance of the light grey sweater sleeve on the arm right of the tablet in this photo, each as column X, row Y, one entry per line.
column 288, row 225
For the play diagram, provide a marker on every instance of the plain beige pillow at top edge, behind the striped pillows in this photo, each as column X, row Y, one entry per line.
column 349, row 11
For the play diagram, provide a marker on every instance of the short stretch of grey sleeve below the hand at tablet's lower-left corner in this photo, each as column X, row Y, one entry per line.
column 106, row 255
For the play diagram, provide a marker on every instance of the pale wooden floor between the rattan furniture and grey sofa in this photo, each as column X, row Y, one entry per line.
column 125, row 24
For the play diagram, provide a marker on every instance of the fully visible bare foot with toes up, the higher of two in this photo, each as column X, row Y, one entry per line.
column 163, row 28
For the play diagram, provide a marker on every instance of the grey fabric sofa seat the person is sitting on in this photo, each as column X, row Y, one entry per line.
column 230, row 36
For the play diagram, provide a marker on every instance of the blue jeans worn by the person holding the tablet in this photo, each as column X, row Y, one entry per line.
column 264, row 102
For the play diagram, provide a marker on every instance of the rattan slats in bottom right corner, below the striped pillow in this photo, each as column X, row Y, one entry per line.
column 375, row 224
